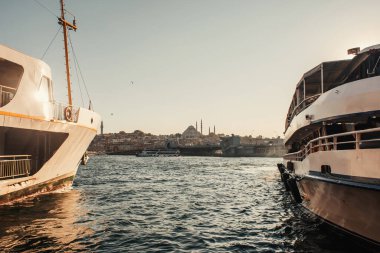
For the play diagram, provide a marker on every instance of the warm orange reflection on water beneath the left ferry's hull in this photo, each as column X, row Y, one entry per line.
column 48, row 222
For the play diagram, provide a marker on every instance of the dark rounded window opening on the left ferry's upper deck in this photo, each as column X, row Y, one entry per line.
column 10, row 77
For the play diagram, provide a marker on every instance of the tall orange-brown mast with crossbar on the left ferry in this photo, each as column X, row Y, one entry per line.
column 66, row 25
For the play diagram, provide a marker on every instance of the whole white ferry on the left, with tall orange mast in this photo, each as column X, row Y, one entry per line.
column 42, row 141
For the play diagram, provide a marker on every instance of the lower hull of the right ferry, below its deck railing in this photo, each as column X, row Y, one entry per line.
column 347, row 196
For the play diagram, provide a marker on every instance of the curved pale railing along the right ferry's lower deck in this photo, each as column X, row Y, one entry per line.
column 361, row 139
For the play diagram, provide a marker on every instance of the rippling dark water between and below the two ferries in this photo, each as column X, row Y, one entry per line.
column 181, row 204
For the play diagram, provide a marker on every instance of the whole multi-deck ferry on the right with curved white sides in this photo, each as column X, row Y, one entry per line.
column 332, row 134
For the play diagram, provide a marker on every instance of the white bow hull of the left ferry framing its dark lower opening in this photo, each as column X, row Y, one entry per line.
column 60, row 170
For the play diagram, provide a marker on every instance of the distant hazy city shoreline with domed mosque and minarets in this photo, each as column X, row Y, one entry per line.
column 191, row 142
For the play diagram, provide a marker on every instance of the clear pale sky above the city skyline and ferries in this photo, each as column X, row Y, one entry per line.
column 161, row 65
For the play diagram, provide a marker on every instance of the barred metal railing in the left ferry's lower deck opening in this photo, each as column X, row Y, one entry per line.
column 12, row 166
